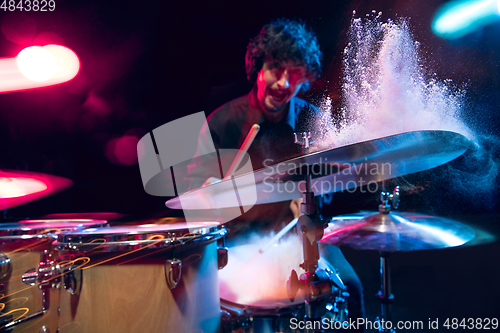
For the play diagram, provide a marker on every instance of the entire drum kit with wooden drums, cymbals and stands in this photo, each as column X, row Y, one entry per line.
column 101, row 273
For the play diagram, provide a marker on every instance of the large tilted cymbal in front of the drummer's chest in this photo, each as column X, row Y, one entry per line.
column 332, row 170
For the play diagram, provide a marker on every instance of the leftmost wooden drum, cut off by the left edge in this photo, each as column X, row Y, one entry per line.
column 22, row 247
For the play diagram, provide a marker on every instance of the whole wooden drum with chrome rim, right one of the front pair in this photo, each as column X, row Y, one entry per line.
column 142, row 278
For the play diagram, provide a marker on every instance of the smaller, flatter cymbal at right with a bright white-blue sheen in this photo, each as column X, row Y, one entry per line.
column 395, row 232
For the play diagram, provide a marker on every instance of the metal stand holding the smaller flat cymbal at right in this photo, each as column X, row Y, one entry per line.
column 385, row 293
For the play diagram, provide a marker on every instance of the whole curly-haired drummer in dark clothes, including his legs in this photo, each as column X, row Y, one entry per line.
column 281, row 61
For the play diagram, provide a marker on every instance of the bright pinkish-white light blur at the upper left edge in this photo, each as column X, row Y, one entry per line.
column 37, row 66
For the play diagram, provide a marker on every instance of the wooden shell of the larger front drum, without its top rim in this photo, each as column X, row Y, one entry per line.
column 129, row 293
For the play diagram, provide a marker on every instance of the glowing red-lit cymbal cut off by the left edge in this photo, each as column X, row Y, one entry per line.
column 19, row 187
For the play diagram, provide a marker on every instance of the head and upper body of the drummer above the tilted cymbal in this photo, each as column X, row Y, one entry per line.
column 283, row 59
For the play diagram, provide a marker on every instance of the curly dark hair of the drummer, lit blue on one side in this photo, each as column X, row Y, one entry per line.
column 280, row 41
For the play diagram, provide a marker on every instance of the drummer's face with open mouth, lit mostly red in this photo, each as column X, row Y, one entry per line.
column 276, row 86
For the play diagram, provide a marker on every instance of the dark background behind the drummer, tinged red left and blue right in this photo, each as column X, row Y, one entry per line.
column 146, row 63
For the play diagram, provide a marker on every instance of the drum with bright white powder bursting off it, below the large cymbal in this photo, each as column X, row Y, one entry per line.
column 253, row 289
